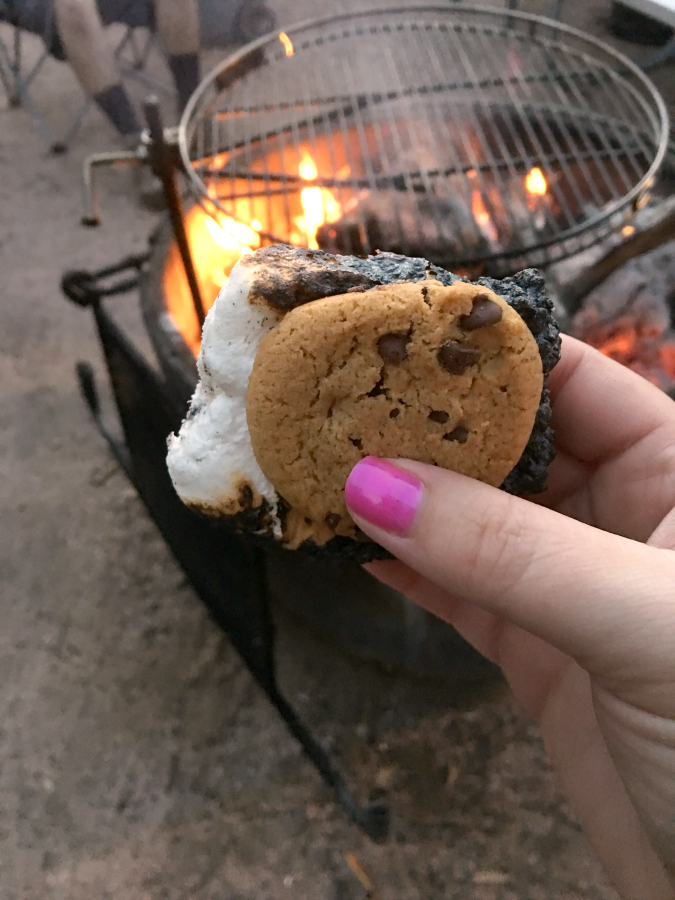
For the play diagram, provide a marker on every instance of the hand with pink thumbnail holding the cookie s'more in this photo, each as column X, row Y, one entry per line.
column 572, row 595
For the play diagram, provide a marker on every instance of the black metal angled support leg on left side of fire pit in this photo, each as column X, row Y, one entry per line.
column 227, row 573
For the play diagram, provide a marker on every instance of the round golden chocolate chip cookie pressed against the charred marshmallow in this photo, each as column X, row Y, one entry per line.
column 447, row 375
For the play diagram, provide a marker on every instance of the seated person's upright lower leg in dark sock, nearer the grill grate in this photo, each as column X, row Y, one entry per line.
column 177, row 23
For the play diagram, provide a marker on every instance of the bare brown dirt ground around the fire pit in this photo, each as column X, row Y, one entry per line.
column 137, row 757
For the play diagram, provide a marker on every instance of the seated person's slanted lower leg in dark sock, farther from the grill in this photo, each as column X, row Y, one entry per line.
column 91, row 56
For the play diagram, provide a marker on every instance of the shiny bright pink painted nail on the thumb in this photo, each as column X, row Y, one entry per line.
column 384, row 495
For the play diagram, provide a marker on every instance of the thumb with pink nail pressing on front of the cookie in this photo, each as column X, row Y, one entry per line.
column 600, row 598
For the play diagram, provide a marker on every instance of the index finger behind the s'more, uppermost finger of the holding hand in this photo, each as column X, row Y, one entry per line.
column 601, row 408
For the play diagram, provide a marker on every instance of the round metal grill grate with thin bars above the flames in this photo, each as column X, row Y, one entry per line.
column 476, row 137
